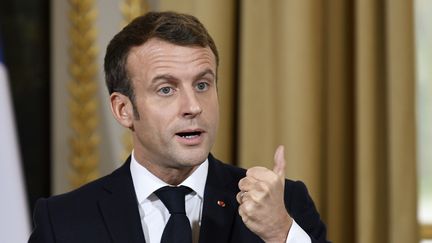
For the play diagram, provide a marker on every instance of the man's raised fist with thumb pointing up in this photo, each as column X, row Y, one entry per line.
column 261, row 199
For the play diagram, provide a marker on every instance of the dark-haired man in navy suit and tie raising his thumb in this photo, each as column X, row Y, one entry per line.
column 161, row 73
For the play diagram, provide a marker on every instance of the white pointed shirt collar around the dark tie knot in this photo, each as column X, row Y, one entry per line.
column 145, row 183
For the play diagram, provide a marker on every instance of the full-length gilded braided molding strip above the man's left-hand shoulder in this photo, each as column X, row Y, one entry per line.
column 83, row 105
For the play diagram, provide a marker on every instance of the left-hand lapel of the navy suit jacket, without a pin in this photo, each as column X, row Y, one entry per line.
column 120, row 208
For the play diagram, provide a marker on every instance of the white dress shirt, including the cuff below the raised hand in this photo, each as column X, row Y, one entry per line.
column 154, row 215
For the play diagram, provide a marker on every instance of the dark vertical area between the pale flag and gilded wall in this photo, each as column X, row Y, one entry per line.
column 24, row 29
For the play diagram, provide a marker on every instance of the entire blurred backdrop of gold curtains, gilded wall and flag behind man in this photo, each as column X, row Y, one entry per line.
column 346, row 86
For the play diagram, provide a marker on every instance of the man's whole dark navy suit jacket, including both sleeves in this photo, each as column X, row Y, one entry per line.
column 106, row 210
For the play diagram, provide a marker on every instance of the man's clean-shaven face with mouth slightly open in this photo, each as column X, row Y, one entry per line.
column 176, row 99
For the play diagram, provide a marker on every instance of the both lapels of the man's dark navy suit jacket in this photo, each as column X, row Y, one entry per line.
column 120, row 208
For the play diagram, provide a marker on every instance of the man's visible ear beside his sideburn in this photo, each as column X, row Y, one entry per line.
column 122, row 109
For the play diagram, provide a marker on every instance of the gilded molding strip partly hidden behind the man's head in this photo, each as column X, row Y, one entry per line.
column 130, row 9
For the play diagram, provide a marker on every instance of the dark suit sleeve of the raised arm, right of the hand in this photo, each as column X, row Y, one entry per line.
column 302, row 208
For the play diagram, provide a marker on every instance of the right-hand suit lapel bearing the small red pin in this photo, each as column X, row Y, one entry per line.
column 220, row 206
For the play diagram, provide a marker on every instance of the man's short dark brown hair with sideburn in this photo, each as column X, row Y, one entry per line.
column 176, row 28
